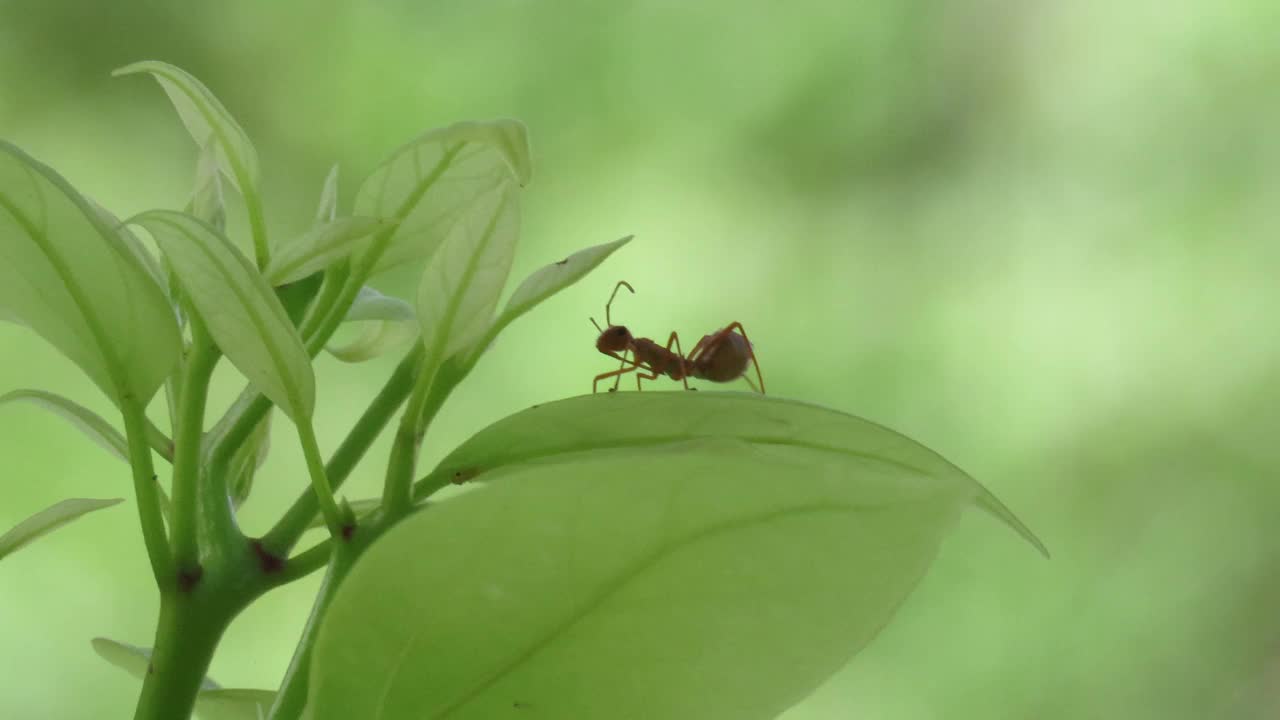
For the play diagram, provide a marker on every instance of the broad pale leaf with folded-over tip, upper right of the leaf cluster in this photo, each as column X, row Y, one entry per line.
column 429, row 184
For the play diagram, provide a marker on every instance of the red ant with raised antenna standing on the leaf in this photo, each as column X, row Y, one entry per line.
column 721, row 357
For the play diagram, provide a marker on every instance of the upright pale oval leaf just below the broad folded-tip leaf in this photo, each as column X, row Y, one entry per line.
column 464, row 280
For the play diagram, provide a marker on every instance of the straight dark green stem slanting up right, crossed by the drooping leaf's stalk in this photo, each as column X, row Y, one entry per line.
column 285, row 535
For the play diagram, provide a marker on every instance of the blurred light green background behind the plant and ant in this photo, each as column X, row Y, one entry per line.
column 1039, row 238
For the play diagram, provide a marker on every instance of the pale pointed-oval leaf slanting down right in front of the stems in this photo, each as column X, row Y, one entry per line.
column 244, row 316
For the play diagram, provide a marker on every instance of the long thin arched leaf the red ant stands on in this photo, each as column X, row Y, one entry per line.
column 560, row 431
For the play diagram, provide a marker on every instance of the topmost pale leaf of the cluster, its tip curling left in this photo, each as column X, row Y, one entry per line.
column 207, row 120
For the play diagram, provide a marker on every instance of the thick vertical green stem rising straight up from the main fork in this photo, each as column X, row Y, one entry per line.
column 186, row 467
